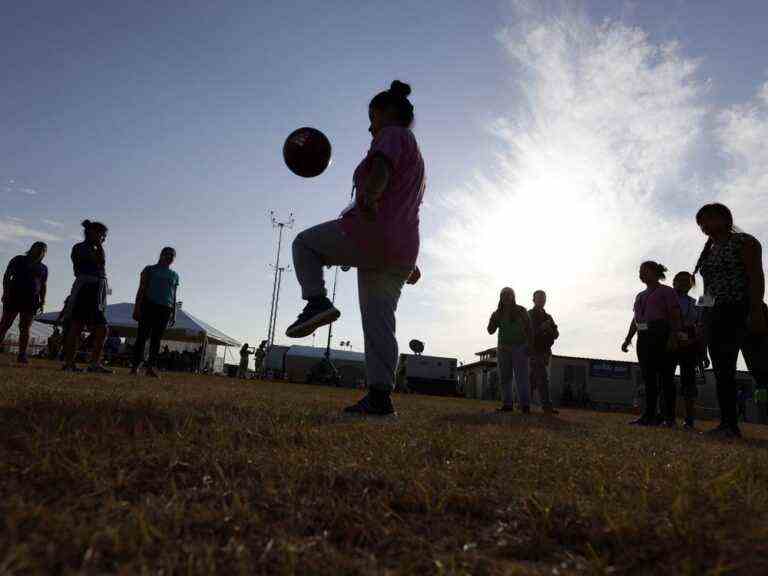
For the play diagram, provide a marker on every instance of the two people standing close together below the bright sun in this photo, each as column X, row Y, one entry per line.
column 524, row 349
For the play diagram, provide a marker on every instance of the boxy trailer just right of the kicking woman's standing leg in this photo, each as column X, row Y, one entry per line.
column 432, row 375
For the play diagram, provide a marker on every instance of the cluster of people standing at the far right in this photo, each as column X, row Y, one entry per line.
column 731, row 317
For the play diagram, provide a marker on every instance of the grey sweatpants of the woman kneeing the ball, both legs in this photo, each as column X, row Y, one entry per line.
column 379, row 289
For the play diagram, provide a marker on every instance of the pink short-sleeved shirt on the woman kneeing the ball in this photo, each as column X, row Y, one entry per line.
column 393, row 238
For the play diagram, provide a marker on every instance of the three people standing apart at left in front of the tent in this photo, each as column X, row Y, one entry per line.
column 25, row 287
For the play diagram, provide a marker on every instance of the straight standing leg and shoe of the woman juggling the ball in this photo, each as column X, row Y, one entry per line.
column 379, row 292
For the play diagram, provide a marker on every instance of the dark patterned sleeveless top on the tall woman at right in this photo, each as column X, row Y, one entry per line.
column 723, row 270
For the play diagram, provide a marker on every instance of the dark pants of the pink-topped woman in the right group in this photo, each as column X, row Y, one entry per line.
column 657, row 369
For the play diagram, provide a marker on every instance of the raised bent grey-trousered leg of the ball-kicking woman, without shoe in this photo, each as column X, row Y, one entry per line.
column 322, row 245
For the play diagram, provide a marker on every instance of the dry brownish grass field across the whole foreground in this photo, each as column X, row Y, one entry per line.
column 210, row 475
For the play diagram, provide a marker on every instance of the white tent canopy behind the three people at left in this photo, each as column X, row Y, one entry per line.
column 187, row 327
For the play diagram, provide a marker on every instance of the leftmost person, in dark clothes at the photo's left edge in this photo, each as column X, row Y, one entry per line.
column 24, row 288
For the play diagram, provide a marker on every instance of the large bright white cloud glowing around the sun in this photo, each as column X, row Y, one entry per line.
column 589, row 166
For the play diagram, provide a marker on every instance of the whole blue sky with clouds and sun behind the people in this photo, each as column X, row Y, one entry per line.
column 564, row 144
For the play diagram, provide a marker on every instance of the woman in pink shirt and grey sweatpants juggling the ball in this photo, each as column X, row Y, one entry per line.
column 379, row 235
